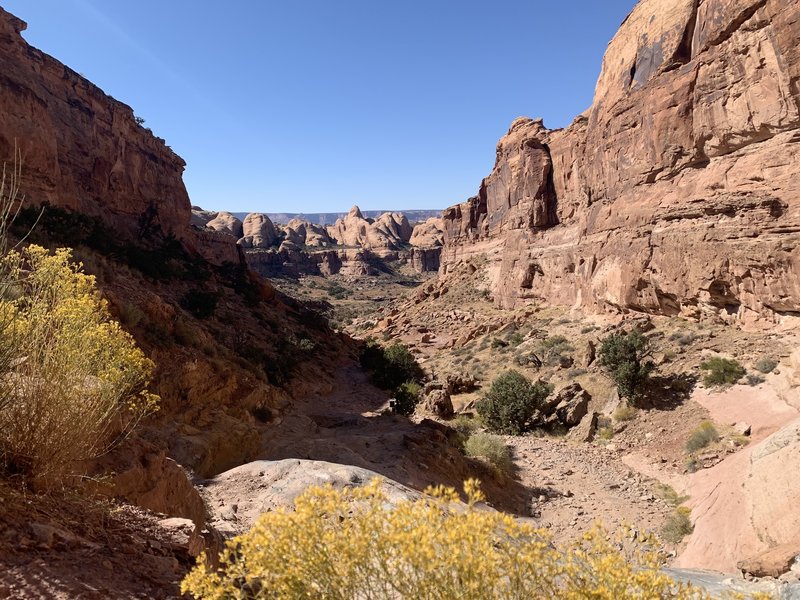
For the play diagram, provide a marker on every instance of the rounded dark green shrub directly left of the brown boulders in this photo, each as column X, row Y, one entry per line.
column 511, row 401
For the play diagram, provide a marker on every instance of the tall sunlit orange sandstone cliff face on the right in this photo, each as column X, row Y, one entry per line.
column 676, row 192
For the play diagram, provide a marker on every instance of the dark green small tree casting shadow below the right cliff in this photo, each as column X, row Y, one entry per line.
column 626, row 358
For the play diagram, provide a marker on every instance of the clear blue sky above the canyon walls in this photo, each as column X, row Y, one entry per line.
column 314, row 105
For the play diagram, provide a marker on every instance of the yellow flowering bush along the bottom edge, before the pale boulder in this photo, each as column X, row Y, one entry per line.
column 349, row 544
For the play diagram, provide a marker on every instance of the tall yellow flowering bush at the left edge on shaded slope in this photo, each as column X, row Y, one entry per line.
column 77, row 382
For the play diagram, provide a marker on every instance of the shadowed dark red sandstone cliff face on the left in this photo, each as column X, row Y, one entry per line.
column 81, row 149
